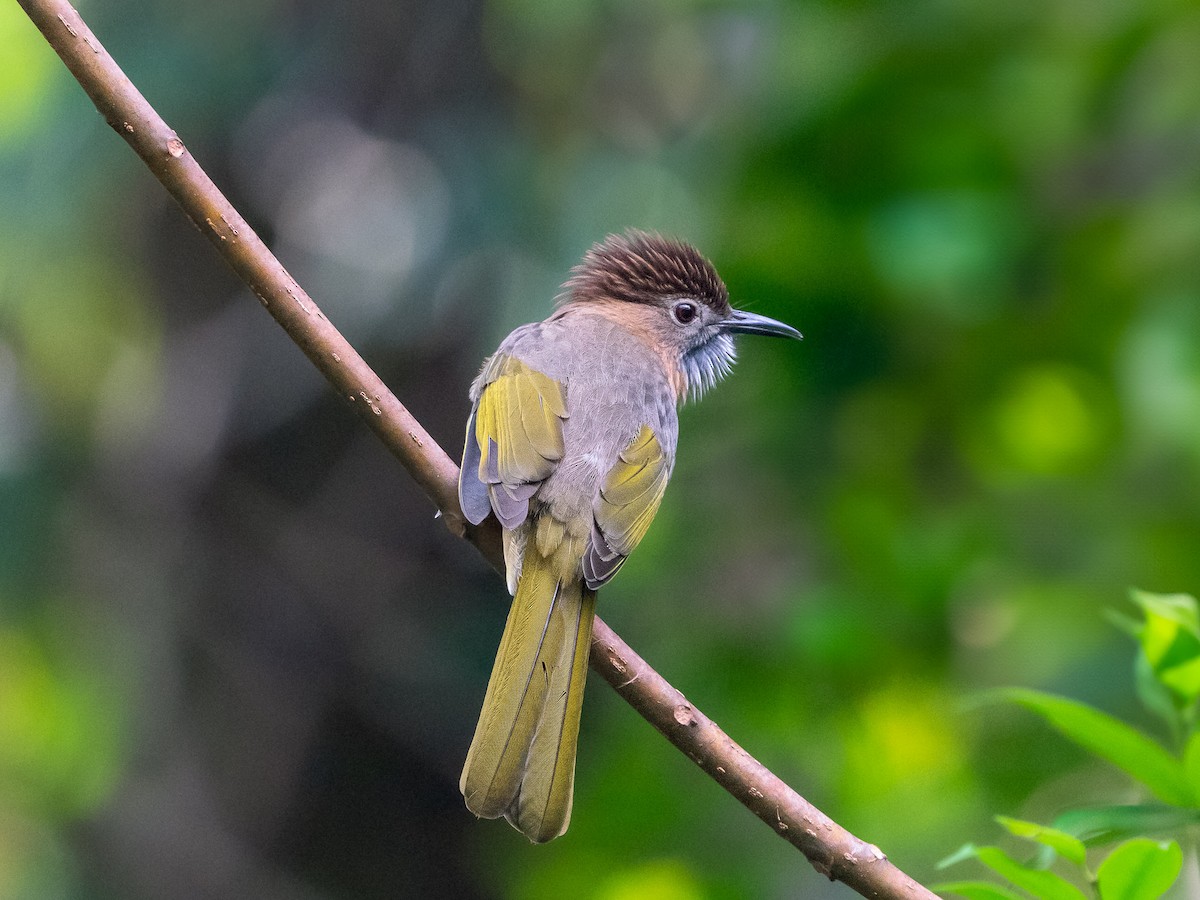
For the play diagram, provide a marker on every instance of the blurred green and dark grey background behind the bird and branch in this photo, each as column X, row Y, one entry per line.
column 239, row 658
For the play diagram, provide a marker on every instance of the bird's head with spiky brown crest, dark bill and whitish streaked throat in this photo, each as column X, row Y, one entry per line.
column 667, row 292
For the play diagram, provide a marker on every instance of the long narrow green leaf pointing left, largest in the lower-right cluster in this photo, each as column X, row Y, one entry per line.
column 1112, row 740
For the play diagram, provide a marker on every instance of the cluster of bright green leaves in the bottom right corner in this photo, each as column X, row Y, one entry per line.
column 1141, row 868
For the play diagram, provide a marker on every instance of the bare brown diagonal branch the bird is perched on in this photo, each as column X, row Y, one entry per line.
column 832, row 850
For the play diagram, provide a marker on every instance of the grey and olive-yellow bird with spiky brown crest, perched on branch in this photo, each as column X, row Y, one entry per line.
column 571, row 445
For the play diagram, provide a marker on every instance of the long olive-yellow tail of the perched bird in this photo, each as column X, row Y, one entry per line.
column 521, row 764
